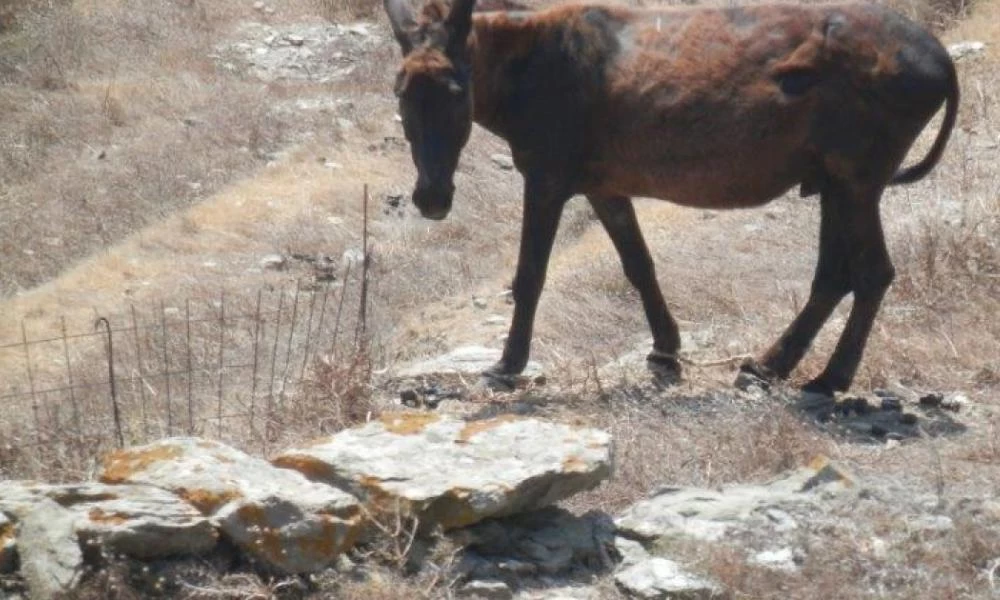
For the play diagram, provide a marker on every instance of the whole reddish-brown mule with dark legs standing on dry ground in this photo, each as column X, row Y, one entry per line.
column 714, row 108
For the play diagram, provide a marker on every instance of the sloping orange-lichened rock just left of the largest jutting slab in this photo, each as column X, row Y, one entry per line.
column 276, row 516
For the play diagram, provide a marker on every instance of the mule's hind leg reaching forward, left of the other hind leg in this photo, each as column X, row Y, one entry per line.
column 831, row 282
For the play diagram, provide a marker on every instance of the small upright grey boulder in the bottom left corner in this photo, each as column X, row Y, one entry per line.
column 49, row 550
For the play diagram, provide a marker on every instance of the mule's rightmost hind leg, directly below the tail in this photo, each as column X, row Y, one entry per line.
column 871, row 273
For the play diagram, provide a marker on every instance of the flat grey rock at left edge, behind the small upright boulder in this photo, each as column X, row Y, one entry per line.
column 140, row 521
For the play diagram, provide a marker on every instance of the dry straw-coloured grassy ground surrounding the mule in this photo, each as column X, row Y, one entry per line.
column 157, row 159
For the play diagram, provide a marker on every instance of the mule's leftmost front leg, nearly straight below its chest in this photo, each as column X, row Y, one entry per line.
column 543, row 205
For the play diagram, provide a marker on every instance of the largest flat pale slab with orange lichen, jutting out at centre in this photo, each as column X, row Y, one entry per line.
column 453, row 473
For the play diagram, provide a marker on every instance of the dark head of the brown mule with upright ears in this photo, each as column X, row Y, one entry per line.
column 435, row 99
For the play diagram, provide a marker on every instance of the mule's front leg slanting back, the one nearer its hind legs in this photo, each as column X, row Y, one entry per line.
column 618, row 217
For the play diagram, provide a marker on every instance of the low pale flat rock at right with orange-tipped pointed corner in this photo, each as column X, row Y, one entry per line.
column 708, row 514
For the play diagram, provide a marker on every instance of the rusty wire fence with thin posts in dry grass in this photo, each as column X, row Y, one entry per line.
column 222, row 367
